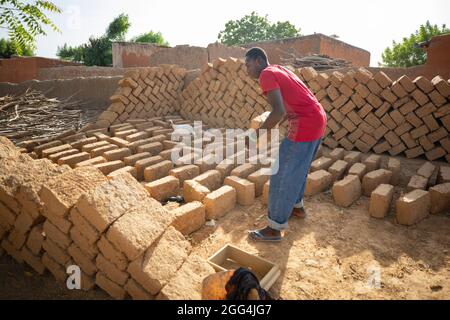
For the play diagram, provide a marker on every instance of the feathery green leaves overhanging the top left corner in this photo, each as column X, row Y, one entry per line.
column 24, row 21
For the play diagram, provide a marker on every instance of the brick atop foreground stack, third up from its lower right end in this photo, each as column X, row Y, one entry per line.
column 135, row 231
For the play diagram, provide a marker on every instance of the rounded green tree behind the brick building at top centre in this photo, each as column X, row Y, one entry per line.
column 252, row 28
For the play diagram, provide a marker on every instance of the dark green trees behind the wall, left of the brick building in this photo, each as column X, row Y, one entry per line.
column 98, row 51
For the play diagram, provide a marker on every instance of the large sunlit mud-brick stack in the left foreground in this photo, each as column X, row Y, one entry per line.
column 123, row 240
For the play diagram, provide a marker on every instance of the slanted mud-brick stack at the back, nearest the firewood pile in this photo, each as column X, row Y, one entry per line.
column 145, row 93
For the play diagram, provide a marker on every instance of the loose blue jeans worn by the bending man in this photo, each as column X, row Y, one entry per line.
column 287, row 186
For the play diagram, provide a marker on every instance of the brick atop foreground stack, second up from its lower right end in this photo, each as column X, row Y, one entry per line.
column 161, row 261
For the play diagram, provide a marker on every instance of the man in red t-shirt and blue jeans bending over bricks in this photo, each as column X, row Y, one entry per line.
column 288, row 96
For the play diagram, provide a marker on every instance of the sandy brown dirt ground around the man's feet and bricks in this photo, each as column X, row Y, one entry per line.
column 333, row 254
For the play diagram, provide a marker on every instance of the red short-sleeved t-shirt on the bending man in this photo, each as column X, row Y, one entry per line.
column 307, row 118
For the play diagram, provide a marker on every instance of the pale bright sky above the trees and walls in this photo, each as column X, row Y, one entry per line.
column 370, row 25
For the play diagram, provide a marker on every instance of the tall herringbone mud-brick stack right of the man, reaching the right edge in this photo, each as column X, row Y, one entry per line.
column 371, row 112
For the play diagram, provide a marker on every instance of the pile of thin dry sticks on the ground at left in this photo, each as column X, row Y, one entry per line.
column 31, row 115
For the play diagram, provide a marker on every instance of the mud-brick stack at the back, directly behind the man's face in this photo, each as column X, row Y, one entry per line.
column 224, row 96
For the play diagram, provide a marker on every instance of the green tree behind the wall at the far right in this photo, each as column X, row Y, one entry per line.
column 407, row 53
